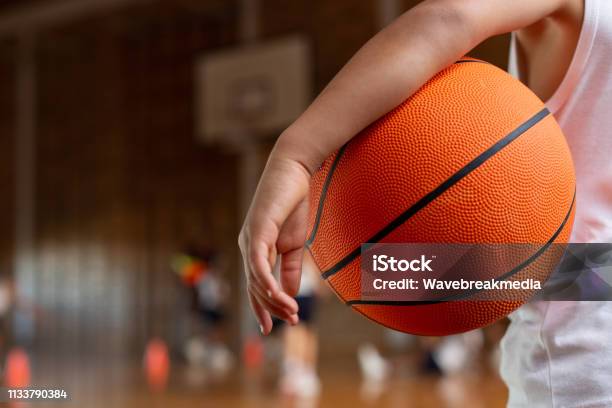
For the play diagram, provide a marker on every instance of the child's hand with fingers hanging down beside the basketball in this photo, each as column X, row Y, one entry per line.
column 276, row 226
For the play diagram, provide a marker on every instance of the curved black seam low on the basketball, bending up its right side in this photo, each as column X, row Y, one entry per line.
column 462, row 296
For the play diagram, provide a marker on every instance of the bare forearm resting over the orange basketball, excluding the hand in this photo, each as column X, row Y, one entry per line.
column 396, row 63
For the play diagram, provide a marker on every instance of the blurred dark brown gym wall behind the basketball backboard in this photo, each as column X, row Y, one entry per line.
column 120, row 181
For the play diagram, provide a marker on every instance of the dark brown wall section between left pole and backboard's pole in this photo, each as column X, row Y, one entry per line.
column 122, row 183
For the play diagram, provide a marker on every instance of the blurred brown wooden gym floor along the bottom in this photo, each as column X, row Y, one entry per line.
column 122, row 384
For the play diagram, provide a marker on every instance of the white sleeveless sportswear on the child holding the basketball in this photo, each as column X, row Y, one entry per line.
column 559, row 354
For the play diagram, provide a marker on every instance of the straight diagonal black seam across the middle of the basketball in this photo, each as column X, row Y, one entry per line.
column 438, row 191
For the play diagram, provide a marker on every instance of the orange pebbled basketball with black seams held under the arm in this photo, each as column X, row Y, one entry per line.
column 472, row 157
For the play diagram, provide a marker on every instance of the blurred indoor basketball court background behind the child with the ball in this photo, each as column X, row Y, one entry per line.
column 132, row 136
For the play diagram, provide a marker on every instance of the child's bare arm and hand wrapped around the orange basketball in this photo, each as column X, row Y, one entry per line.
column 386, row 70
